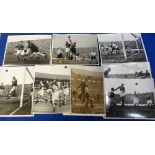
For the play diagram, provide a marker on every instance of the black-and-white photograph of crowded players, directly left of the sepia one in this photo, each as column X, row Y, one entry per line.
column 52, row 89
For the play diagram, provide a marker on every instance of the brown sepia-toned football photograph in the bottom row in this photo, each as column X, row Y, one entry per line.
column 87, row 90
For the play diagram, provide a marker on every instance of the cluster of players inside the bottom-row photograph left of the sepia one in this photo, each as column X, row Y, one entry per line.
column 55, row 92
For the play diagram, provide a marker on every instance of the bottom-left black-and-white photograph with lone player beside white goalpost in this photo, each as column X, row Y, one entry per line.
column 16, row 90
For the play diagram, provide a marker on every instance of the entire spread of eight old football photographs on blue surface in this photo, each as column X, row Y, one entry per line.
column 77, row 74
